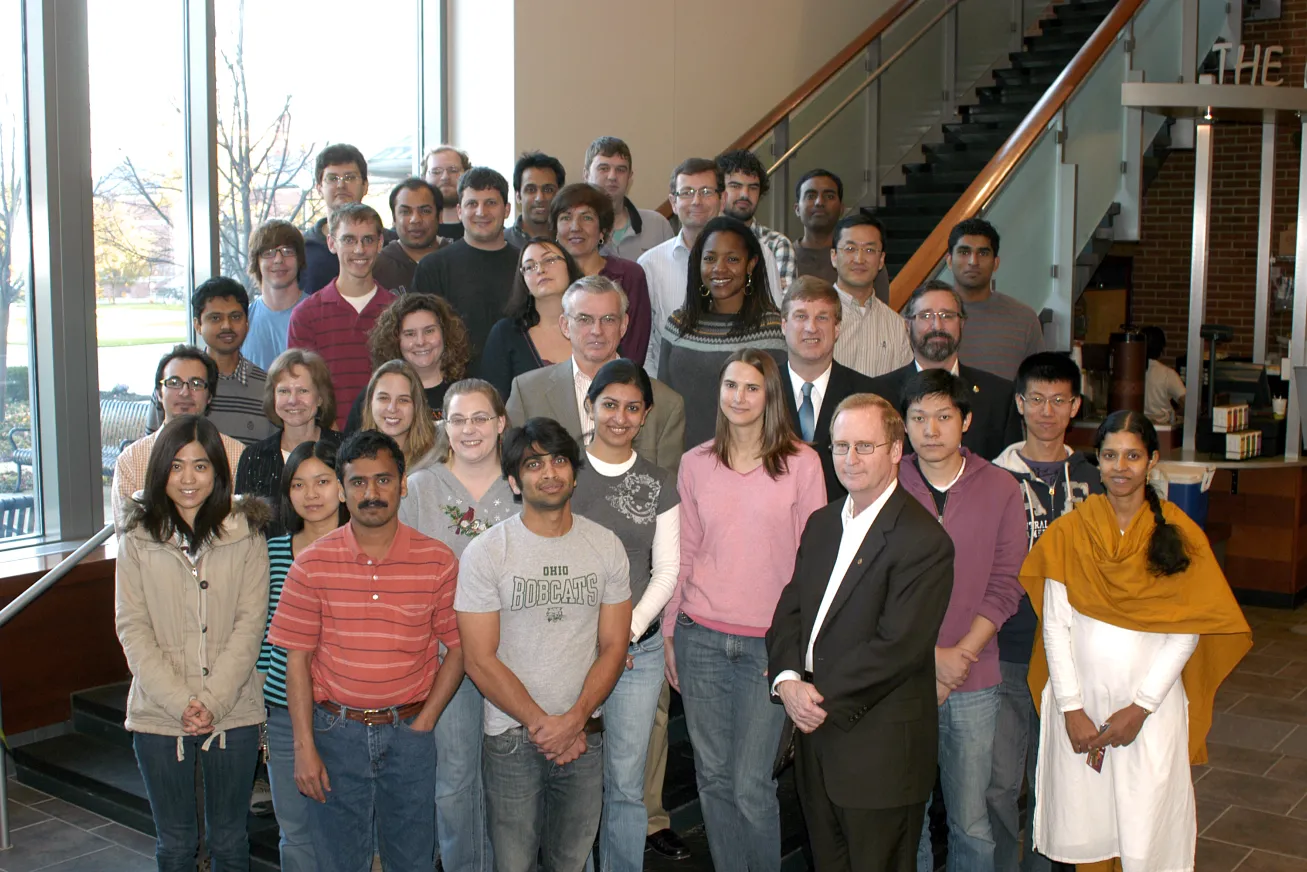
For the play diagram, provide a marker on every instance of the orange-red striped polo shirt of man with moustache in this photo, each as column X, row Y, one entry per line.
column 373, row 626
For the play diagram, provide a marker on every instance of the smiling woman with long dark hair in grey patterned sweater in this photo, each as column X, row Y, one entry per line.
column 727, row 308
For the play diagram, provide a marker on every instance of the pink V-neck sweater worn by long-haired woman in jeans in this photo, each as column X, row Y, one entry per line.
column 739, row 539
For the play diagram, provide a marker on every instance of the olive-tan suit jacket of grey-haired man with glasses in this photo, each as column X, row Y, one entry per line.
column 550, row 393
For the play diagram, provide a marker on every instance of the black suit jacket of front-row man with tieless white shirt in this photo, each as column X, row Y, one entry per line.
column 874, row 661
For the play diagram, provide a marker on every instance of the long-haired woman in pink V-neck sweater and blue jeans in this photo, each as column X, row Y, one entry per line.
column 746, row 499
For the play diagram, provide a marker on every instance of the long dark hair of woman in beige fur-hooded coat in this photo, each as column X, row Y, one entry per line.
column 159, row 514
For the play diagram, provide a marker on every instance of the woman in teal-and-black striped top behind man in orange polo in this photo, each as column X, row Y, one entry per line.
column 310, row 509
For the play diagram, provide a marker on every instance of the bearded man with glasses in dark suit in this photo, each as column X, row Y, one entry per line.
column 934, row 317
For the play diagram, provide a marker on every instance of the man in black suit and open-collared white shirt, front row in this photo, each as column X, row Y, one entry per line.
column 853, row 649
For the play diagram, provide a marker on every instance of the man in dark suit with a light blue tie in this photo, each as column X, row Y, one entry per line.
column 814, row 382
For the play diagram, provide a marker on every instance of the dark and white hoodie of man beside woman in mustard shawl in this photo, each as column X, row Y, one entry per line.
column 1079, row 480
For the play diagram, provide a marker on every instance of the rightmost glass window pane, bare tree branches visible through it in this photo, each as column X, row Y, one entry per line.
column 286, row 93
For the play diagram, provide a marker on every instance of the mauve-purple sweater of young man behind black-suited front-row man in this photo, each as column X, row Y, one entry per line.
column 985, row 518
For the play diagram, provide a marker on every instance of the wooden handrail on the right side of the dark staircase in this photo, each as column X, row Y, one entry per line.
column 1012, row 152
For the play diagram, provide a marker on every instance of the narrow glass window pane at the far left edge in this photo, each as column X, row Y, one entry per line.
column 19, row 514
